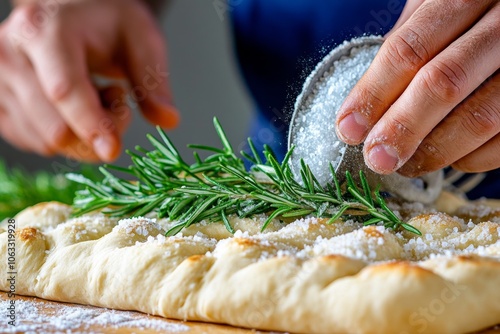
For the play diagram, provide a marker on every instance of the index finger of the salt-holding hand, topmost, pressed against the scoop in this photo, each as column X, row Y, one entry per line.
column 429, row 30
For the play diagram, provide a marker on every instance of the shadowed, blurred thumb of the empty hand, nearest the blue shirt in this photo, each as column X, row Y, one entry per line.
column 146, row 66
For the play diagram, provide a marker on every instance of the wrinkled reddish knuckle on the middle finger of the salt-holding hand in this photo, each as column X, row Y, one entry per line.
column 443, row 82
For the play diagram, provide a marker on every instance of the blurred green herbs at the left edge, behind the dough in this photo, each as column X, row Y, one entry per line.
column 20, row 189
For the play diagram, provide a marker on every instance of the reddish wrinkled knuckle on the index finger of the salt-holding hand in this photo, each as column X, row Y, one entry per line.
column 406, row 48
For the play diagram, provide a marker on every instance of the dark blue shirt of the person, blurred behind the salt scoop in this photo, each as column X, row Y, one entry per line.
column 279, row 42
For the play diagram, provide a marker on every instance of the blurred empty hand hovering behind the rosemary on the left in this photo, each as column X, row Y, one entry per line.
column 49, row 51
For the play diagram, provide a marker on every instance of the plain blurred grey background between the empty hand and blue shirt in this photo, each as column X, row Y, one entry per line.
column 204, row 79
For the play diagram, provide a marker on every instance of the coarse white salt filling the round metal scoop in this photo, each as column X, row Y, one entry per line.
column 315, row 139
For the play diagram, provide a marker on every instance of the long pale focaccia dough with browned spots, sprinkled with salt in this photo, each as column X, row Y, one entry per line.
column 306, row 276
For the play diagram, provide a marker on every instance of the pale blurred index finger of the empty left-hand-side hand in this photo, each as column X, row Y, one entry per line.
column 61, row 69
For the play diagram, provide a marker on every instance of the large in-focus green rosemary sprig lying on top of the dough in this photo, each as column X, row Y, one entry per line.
column 218, row 186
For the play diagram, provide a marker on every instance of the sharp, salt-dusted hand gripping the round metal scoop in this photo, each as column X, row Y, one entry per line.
column 431, row 97
